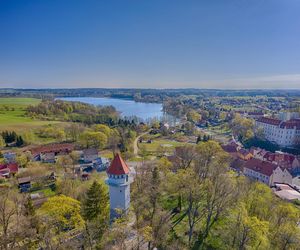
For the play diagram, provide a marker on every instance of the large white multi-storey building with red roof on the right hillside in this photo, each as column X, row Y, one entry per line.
column 283, row 133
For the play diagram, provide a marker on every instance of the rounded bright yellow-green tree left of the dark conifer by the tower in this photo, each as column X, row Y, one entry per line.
column 62, row 212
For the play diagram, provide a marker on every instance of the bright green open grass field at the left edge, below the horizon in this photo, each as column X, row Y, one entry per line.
column 12, row 114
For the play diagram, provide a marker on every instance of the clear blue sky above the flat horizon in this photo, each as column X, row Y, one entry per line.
column 150, row 44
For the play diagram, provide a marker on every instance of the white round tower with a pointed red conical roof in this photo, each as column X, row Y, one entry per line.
column 119, row 187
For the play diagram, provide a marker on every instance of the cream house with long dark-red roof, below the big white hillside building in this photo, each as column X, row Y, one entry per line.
column 266, row 172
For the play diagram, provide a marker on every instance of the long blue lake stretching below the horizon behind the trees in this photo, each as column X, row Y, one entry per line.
column 127, row 108
